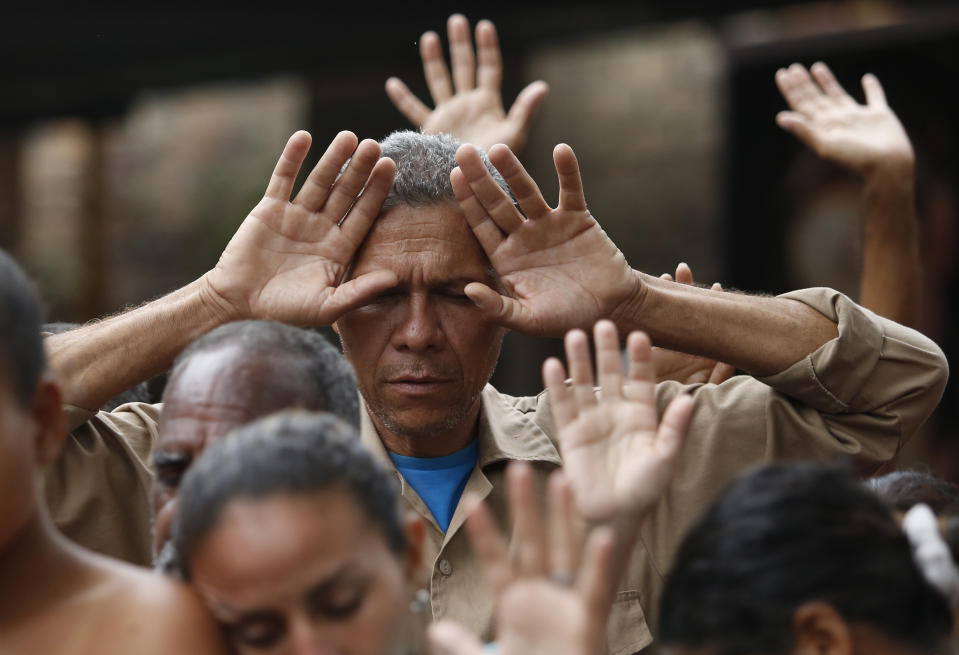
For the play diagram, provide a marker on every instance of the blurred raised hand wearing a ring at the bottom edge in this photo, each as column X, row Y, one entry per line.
column 553, row 597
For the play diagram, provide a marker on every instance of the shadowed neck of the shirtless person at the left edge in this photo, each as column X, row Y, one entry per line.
column 37, row 568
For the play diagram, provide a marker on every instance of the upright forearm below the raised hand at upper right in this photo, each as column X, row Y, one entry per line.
column 890, row 281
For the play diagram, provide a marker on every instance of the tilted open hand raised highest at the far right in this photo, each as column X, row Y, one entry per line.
column 828, row 120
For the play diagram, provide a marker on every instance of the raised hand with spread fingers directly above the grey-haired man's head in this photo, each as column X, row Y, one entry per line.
column 468, row 104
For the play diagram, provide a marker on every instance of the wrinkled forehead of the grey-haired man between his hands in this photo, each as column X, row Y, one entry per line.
column 433, row 240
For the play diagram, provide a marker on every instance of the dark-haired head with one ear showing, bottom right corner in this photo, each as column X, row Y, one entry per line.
column 801, row 559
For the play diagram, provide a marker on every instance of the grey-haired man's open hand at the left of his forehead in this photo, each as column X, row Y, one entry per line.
column 287, row 259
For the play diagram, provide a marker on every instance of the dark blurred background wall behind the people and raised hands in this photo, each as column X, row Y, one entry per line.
column 133, row 142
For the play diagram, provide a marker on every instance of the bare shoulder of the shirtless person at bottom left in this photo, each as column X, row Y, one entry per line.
column 153, row 613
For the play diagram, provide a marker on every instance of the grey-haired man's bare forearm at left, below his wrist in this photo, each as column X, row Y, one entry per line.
column 95, row 362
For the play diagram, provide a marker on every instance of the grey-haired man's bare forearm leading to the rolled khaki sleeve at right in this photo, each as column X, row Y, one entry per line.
column 759, row 334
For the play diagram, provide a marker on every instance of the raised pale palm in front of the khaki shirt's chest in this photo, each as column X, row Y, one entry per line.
column 617, row 454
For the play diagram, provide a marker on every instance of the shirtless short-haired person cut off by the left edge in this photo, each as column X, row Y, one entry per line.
column 56, row 597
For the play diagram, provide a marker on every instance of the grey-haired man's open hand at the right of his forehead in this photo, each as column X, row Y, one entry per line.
column 558, row 268
